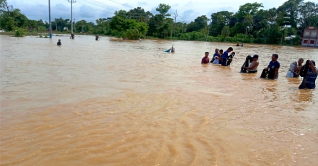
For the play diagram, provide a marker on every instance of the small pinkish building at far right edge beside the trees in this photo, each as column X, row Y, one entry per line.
column 310, row 37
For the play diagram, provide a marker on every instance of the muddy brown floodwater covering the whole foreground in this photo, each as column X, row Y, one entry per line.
column 112, row 102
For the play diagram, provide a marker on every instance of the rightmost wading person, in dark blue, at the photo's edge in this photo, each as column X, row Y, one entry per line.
column 309, row 72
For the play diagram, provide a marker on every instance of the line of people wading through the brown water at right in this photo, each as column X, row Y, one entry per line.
column 307, row 71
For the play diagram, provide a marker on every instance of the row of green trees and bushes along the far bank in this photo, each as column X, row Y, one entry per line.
column 250, row 24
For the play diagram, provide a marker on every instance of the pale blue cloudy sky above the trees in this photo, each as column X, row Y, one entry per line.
column 91, row 10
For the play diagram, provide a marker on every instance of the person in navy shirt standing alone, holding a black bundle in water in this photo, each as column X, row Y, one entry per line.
column 271, row 72
